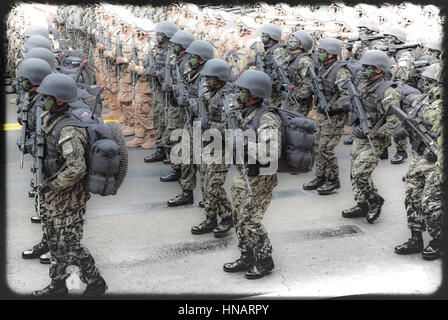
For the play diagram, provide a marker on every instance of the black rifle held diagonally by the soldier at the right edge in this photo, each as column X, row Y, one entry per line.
column 418, row 135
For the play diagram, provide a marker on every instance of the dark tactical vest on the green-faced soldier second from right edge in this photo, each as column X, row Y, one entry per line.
column 370, row 102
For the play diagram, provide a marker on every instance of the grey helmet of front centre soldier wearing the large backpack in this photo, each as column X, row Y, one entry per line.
column 258, row 83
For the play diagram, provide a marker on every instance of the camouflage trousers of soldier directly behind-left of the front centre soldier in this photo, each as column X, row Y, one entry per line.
column 215, row 196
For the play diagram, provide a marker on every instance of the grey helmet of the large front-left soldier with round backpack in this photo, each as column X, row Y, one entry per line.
column 60, row 86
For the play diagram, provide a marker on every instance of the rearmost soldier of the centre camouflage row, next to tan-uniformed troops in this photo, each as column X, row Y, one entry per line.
column 181, row 40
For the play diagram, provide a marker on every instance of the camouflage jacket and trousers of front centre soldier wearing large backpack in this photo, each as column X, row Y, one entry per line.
column 250, row 209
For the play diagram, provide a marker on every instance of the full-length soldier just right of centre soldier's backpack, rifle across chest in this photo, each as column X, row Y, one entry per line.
column 329, row 128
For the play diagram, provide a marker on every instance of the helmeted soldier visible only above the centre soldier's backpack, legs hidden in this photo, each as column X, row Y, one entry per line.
column 299, row 44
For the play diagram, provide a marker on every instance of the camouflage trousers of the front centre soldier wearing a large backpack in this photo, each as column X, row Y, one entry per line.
column 248, row 213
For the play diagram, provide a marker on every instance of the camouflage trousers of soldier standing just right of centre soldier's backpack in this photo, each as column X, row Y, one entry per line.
column 326, row 138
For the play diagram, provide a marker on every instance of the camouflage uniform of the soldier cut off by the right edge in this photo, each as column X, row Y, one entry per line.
column 423, row 199
